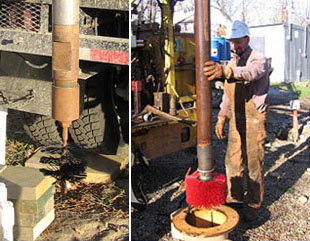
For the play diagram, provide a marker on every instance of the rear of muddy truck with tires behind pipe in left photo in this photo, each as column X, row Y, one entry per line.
column 26, row 70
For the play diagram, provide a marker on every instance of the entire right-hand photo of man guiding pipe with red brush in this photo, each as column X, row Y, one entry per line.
column 220, row 120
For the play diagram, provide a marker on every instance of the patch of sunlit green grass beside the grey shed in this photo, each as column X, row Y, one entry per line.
column 300, row 89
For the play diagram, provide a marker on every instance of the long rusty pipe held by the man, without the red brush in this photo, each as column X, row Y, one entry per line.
column 203, row 90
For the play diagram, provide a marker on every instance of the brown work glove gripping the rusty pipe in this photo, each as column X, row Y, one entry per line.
column 214, row 70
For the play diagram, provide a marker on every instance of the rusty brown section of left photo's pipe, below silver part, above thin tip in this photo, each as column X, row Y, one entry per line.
column 65, row 73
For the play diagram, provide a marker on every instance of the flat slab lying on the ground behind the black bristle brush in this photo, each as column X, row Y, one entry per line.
column 100, row 168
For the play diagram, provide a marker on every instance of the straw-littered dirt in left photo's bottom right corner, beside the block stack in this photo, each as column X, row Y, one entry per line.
column 92, row 212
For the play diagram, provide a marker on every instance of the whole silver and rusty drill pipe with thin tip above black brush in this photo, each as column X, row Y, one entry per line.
column 65, row 63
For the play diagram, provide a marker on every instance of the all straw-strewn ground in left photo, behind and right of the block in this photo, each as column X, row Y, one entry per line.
column 88, row 212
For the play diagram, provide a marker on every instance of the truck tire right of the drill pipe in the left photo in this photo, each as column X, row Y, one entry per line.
column 98, row 125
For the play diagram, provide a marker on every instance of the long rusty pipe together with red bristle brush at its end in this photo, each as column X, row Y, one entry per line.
column 204, row 188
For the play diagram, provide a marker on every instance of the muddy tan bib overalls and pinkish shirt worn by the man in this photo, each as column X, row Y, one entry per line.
column 247, row 130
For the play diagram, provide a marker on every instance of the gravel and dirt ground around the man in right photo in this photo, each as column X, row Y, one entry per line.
column 286, row 209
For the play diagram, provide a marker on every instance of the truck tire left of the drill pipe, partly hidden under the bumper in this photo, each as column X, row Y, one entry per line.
column 42, row 129
